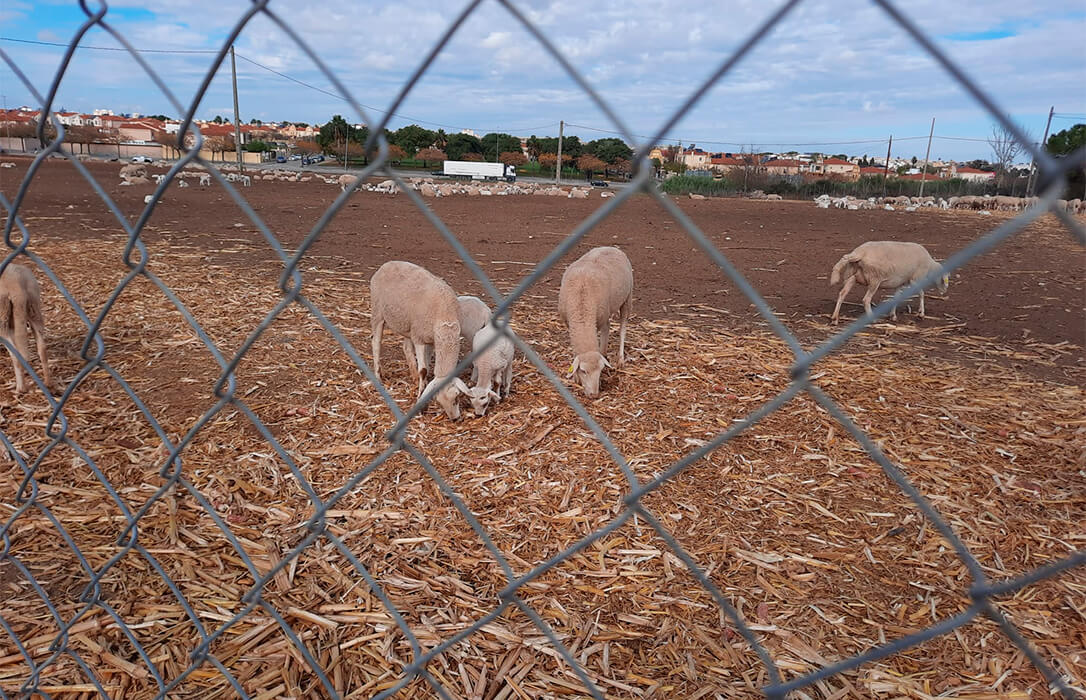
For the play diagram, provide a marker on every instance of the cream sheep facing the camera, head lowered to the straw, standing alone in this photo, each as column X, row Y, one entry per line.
column 593, row 289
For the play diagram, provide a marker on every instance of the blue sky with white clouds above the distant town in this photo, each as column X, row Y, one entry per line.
column 831, row 72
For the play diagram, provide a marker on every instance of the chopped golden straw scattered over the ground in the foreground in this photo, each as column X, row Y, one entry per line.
column 793, row 521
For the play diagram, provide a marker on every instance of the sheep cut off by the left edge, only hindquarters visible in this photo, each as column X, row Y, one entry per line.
column 21, row 304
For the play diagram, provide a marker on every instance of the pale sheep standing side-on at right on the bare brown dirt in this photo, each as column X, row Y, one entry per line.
column 890, row 264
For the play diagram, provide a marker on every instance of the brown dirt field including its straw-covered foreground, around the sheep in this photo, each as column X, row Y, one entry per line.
column 980, row 404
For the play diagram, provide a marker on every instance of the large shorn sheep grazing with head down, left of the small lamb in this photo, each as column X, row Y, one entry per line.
column 422, row 308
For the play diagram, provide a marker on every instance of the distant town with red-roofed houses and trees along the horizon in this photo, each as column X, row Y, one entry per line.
column 104, row 133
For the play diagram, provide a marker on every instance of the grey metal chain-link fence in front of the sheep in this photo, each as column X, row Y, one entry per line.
column 203, row 659
